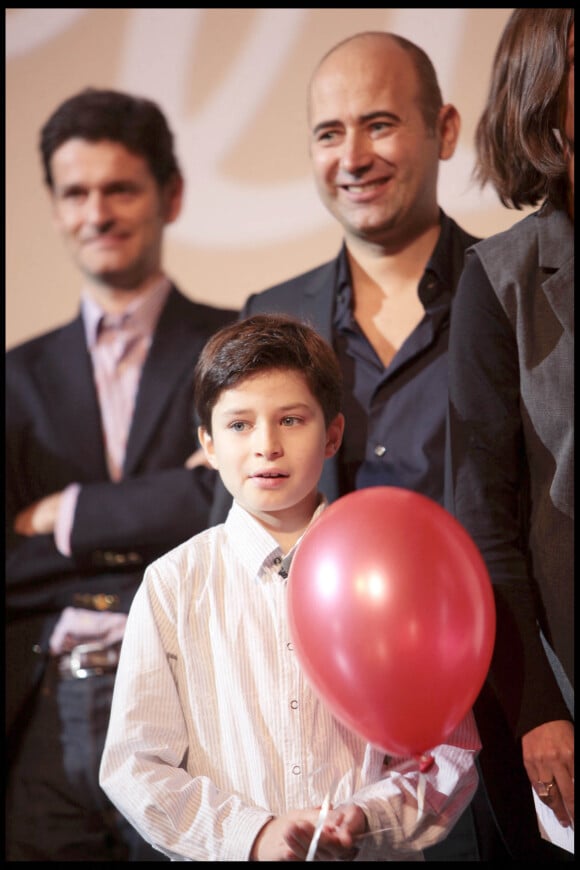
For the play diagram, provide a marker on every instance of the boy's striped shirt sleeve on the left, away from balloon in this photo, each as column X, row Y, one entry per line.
column 143, row 766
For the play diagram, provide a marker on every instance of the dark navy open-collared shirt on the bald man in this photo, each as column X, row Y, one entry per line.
column 395, row 416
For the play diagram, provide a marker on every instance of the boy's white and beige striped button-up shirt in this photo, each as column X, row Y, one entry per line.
column 214, row 730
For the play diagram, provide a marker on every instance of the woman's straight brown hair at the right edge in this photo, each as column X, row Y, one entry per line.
column 518, row 138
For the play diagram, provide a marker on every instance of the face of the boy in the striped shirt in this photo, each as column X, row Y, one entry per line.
column 269, row 442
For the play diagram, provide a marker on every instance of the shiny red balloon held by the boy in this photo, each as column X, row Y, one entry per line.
column 392, row 617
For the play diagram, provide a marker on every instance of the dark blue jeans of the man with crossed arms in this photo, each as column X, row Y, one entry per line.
column 55, row 809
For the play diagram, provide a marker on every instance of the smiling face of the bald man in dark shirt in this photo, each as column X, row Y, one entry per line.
column 375, row 162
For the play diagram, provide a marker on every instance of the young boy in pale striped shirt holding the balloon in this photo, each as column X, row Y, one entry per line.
column 217, row 749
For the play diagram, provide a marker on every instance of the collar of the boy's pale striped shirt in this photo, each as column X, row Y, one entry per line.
column 255, row 546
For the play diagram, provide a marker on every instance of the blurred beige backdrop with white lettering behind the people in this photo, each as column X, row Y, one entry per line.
column 232, row 83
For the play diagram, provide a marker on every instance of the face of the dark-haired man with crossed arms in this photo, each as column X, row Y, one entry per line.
column 111, row 212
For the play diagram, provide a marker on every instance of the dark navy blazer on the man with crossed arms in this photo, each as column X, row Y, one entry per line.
column 54, row 438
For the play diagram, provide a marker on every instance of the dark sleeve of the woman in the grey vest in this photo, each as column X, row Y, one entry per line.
column 487, row 490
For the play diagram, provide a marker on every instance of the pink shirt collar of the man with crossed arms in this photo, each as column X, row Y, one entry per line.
column 140, row 316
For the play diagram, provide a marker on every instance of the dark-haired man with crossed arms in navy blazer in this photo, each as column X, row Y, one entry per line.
column 99, row 431
